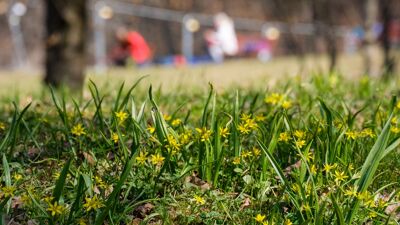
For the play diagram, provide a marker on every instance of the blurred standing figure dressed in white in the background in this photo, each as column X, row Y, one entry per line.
column 222, row 41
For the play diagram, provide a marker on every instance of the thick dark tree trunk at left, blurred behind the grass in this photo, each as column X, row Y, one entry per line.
column 65, row 43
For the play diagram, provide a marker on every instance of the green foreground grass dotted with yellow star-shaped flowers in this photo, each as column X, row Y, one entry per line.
column 315, row 149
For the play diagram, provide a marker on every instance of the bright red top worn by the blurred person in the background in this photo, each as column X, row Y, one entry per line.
column 138, row 47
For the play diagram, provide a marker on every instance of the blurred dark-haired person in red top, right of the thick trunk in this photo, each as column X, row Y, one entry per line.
column 131, row 44
